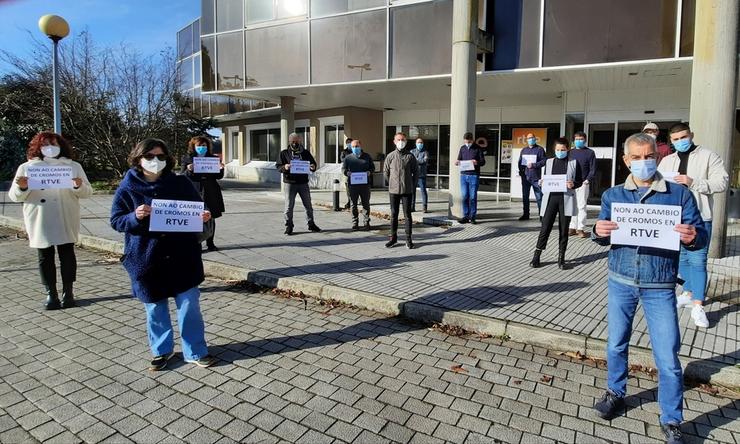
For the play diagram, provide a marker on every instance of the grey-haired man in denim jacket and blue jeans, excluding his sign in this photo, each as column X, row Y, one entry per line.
column 647, row 275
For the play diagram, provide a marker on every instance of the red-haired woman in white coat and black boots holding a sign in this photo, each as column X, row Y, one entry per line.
column 52, row 213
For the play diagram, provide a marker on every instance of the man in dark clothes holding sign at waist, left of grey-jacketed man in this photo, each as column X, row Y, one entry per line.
column 358, row 167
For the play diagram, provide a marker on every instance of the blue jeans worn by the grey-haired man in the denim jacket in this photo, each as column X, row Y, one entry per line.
column 659, row 306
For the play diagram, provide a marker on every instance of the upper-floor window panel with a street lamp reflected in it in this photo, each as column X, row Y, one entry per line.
column 349, row 48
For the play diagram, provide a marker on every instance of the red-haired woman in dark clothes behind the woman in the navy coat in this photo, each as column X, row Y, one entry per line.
column 206, row 183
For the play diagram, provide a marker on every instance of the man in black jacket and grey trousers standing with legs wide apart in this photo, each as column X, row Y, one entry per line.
column 296, row 181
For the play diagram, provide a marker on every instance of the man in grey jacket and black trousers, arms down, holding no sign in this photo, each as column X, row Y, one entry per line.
column 401, row 171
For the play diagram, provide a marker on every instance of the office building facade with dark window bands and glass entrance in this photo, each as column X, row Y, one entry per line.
column 368, row 68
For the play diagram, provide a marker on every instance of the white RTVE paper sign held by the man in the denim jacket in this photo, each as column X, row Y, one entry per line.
column 646, row 225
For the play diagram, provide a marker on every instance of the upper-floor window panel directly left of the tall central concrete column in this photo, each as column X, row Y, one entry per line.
column 421, row 36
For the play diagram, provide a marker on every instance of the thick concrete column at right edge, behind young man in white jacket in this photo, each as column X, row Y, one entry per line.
column 713, row 93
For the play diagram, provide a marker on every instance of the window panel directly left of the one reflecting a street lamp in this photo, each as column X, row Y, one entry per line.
column 276, row 56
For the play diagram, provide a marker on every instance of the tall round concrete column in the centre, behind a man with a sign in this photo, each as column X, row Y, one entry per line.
column 462, row 101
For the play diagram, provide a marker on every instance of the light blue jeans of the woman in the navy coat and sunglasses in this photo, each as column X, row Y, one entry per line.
column 189, row 319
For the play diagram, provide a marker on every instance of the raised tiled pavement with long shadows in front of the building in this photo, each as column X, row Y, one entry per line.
column 478, row 269
